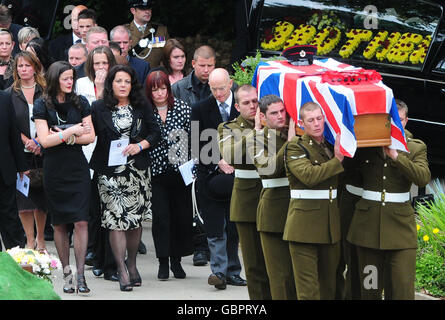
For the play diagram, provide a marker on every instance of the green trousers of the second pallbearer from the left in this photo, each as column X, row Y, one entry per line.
column 278, row 266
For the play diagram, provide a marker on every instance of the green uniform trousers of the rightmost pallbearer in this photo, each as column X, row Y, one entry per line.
column 396, row 273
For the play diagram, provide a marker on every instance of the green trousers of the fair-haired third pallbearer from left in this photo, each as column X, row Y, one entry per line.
column 315, row 267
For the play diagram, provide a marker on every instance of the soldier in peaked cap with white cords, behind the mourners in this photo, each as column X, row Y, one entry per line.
column 142, row 28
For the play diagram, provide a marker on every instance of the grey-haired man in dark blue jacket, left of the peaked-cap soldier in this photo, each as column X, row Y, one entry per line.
column 122, row 35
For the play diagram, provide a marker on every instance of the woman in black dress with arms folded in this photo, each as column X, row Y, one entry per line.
column 63, row 124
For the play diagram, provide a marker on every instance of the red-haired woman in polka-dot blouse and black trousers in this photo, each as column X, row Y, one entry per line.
column 172, row 211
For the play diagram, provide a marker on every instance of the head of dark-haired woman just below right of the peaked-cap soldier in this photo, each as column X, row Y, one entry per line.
column 173, row 59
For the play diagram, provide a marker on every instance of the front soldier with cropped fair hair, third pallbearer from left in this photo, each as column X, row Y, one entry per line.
column 313, row 221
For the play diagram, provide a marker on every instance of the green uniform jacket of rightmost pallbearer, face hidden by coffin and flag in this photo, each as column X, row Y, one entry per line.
column 382, row 224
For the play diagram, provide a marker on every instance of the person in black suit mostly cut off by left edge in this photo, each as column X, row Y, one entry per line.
column 11, row 162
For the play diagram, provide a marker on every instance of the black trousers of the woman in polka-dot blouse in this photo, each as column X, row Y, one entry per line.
column 172, row 216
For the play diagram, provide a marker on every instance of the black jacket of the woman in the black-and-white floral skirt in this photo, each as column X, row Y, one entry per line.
column 106, row 132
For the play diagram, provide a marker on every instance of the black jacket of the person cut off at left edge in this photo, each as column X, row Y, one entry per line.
column 13, row 157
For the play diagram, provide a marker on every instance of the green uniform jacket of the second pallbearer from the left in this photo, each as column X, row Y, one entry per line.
column 266, row 148
